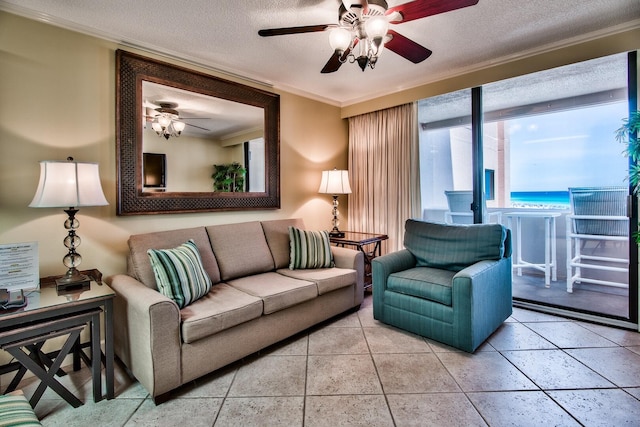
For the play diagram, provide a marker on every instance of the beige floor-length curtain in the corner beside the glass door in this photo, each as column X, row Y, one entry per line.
column 384, row 172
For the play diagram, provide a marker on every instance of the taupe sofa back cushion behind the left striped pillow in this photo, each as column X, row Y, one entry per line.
column 139, row 265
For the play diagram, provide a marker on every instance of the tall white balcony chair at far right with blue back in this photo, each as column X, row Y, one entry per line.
column 598, row 214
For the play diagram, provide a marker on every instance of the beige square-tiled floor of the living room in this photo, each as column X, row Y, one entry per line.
column 536, row 369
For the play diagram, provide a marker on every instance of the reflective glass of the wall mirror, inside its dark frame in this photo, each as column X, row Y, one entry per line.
column 193, row 142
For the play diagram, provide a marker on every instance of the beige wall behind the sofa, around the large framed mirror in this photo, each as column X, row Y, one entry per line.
column 57, row 99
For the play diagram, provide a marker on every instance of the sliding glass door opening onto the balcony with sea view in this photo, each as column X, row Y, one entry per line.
column 553, row 172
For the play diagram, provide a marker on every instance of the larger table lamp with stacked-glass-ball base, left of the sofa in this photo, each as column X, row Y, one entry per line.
column 69, row 184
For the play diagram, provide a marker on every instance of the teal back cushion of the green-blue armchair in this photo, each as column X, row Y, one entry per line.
column 453, row 247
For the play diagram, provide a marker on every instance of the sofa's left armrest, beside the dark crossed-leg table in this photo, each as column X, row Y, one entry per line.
column 147, row 334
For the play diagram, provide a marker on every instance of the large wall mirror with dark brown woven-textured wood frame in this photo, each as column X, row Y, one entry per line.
column 223, row 120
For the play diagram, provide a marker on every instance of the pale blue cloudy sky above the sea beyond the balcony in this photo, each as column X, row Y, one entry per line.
column 574, row 148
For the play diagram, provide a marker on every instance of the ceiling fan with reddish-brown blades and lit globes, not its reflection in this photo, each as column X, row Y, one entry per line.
column 364, row 24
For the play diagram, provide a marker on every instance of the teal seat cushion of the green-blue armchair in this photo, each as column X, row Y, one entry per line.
column 433, row 284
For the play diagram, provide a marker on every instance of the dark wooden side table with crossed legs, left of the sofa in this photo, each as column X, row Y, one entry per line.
column 49, row 314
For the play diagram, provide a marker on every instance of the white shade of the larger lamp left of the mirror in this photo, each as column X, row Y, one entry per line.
column 68, row 184
